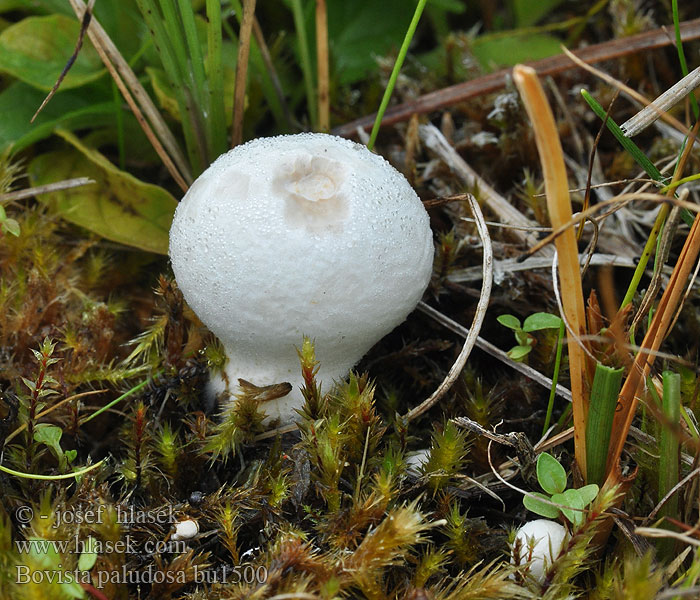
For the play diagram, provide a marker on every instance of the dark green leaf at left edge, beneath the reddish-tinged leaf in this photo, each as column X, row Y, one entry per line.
column 70, row 109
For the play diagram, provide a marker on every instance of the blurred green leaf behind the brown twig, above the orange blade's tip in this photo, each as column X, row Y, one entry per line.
column 514, row 48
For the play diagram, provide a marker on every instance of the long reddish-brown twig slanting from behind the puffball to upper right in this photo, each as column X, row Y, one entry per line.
column 492, row 82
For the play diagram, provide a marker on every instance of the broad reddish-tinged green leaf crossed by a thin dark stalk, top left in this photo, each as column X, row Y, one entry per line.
column 36, row 49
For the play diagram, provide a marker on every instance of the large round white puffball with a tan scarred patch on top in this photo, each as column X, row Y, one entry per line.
column 295, row 235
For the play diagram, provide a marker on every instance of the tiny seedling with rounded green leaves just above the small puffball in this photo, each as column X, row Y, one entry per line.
column 552, row 477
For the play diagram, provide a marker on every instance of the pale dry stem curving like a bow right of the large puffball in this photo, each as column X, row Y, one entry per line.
column 480, row 313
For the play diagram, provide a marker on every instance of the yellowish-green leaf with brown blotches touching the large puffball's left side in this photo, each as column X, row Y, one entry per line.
column 118, row 207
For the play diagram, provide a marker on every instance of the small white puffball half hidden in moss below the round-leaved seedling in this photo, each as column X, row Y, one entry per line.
column 546, row 539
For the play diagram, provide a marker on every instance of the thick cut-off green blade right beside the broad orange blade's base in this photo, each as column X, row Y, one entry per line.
column 606, row 388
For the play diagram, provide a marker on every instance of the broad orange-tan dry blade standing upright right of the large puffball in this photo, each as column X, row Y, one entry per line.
column 559, row 206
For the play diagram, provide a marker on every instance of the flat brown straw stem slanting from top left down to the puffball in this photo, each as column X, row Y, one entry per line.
column 131, row 89
